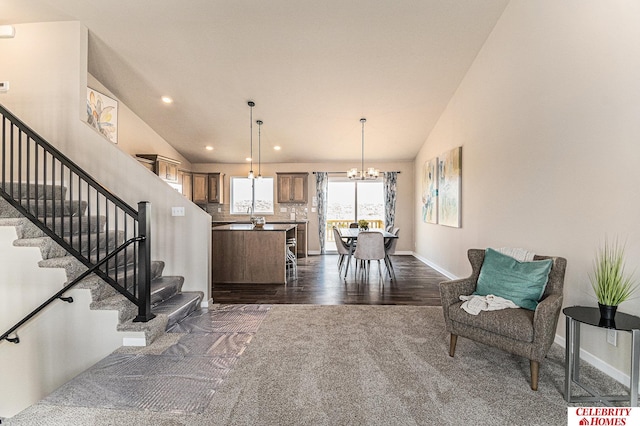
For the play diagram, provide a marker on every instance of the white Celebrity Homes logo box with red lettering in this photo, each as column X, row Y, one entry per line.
column 603, row 416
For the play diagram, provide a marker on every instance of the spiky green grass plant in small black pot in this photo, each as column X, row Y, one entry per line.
column 611, row 283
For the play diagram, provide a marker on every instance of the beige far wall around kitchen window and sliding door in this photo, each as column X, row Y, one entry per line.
column 404, row 211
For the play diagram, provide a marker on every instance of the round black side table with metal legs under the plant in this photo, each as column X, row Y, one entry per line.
column 577, row 315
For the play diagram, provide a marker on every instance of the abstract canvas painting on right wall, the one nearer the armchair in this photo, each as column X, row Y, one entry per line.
column 449, row 184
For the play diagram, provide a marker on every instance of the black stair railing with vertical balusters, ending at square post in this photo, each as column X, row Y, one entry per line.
column 86, row 219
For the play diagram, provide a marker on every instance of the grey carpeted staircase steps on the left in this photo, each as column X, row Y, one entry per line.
column 168, row 302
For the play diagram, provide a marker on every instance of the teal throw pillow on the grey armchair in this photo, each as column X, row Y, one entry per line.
column 521, row 282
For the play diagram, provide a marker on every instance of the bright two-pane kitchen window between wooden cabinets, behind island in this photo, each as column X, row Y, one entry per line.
column 241, row 188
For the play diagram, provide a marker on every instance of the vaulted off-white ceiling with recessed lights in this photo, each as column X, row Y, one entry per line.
column 313, row 69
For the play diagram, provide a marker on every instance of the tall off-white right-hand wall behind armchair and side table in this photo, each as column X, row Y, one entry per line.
column 548, row 120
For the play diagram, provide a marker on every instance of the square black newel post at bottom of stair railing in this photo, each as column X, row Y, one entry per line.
column 144, row 263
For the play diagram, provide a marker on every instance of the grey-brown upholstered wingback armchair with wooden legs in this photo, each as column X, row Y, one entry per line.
column 518, row 331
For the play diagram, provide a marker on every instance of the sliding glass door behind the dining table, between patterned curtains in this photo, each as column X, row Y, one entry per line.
column 349, row 201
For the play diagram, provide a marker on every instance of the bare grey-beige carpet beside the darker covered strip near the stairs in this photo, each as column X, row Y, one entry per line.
column 361, row 365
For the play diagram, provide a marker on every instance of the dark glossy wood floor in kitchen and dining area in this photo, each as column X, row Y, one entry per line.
column 319, row 283
